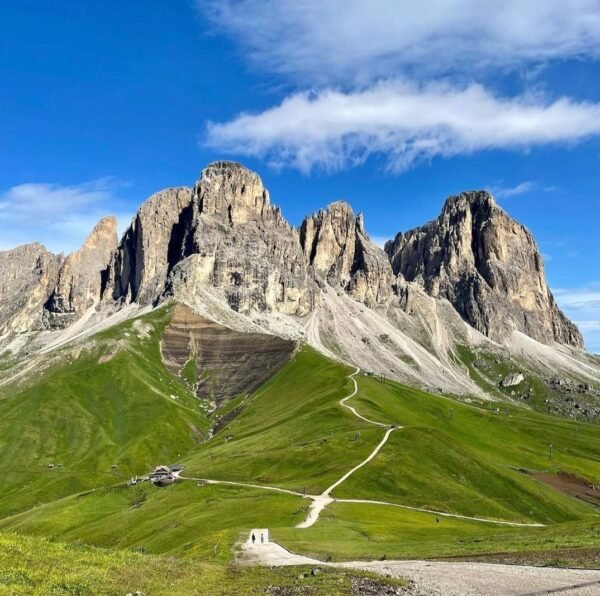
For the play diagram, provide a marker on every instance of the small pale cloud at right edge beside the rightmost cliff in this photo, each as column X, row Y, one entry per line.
column 582, row 306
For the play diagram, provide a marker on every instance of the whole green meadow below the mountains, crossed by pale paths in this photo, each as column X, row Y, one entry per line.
column 92, row 413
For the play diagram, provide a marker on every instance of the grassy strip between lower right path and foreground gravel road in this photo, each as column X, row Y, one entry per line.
column 352, row 531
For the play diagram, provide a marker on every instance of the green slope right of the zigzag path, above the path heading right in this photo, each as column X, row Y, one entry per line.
column 463, row 459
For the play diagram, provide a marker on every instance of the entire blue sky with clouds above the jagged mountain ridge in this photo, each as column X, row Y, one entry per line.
column 389, row 105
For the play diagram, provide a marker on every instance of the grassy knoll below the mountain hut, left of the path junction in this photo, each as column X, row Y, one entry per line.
column 184, row 519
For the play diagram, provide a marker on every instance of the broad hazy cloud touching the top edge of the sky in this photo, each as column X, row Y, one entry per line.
column 361, row 40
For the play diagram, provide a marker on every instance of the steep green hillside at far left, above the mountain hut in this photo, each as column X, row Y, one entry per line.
column 92, row 411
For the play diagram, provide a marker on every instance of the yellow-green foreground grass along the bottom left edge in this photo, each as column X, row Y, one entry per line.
column 40, row 566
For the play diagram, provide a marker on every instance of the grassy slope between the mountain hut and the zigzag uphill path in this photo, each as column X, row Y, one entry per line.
column 292, row 433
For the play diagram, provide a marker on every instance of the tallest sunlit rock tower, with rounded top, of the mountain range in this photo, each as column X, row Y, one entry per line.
column 241, row 245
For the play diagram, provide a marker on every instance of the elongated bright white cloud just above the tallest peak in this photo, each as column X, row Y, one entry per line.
column 409, row 123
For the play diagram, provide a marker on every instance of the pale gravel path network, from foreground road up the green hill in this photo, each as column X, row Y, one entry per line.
column 445, row 578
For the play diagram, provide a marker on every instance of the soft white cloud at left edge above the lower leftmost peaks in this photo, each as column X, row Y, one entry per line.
column 58, row 216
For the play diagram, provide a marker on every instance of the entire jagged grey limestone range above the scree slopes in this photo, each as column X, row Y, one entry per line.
column 222, row 241
